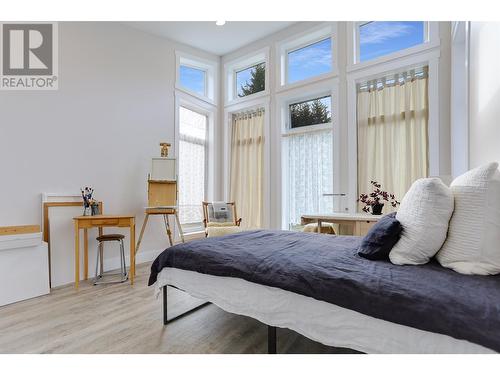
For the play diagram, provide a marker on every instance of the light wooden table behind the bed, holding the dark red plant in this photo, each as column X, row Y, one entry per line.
column 361, row 222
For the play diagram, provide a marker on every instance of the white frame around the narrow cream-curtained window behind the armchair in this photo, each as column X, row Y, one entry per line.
column 256, row 103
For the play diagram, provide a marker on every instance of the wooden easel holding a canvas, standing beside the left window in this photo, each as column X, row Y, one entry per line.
column 162, row 194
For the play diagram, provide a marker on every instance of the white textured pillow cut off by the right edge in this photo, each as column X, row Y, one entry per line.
column 473, row 243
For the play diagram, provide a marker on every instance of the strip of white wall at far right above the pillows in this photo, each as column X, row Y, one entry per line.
column 484, row 93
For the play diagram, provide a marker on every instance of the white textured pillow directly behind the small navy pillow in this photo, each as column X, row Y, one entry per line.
column 424, row 214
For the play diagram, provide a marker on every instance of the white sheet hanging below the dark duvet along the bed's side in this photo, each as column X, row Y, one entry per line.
column 320, row 321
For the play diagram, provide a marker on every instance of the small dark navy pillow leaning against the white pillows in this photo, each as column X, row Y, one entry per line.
column 380, row 239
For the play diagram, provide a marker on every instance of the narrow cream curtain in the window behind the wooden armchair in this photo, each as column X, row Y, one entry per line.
column 247, row 148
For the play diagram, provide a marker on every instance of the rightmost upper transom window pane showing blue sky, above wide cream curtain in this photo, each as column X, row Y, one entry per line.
column 380, row 38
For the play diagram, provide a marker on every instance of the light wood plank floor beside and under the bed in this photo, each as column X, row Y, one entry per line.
column 119, row 318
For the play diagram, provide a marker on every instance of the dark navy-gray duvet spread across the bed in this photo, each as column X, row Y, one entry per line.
column 327, row 268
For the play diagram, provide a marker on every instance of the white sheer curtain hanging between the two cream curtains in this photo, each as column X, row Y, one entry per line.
column 310, row 173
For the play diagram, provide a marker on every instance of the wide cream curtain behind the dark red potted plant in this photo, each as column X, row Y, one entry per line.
column 392, row 133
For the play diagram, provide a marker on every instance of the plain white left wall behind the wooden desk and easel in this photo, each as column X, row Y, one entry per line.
column 115, row 103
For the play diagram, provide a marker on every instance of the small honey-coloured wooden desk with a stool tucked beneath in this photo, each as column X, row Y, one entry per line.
column 101, row 221
